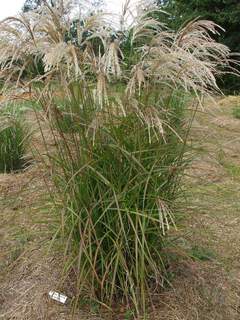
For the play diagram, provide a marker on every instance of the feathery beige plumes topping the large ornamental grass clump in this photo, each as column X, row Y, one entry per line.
column 189, row 58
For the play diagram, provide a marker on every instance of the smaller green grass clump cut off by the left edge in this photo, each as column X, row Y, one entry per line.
column 14, row 139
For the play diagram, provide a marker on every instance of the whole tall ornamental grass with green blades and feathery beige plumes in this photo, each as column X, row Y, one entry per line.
column 118, row 124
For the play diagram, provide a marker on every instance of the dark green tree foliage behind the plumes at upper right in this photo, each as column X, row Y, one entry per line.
column 225, row 13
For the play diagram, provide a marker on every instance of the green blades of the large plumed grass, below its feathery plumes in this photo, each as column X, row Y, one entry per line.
column 118, row 187
